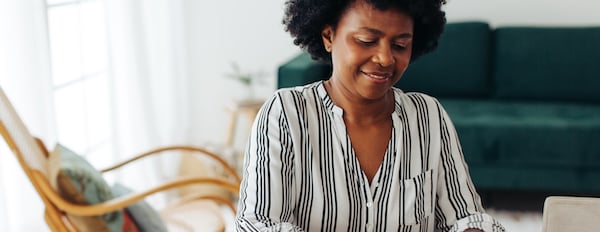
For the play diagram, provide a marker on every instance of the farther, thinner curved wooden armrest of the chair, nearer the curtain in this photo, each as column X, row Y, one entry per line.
column 159, row 150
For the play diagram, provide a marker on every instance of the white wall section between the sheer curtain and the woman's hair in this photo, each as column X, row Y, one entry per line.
column 249, row 33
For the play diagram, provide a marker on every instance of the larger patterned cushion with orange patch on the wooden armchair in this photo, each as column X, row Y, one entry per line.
column 79, row 182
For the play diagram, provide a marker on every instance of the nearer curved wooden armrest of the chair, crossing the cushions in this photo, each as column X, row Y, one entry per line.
column 124, row 201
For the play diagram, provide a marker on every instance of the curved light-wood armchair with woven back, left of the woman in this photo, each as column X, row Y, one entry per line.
column 33, row 157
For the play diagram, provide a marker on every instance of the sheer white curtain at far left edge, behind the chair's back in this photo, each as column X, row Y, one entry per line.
column 24, row 77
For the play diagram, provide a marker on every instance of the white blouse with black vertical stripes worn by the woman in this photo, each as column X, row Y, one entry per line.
column 301, row 173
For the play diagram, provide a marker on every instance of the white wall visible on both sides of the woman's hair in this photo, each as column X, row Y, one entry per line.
column 250, row 33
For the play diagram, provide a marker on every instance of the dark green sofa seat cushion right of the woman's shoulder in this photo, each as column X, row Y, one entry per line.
column 527, row 134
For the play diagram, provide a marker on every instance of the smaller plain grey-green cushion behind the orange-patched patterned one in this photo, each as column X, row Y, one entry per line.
column 144, row 216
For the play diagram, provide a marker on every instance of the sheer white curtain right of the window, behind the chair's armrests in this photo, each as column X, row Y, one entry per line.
column 150, row 81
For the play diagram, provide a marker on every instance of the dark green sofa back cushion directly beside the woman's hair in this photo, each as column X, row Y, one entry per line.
column 459, row 67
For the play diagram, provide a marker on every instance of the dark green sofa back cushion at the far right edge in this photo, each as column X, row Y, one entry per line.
column 561, row 64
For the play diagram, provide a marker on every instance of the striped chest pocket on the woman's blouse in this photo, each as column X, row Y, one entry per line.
column 417, row 198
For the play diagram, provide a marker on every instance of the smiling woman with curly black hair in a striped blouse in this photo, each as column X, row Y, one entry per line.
column 354, row 153
